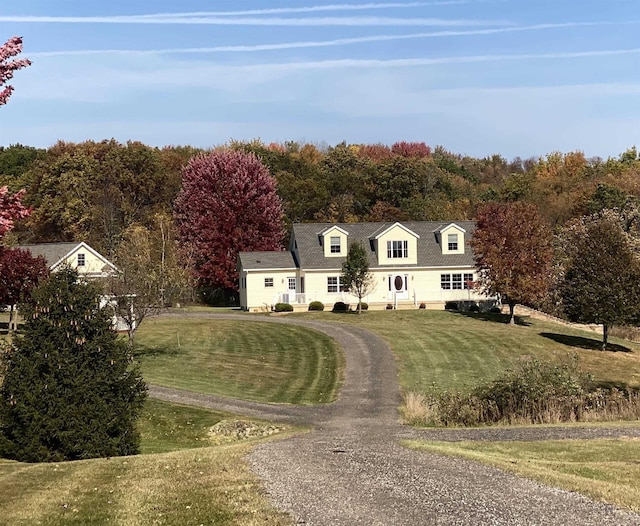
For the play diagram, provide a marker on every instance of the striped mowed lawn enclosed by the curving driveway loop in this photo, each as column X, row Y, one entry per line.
column 245, row 359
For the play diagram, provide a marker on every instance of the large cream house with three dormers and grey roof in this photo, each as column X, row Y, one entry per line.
column 413, row 263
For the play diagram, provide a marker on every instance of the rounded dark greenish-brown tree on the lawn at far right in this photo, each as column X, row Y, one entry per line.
column 601, row 278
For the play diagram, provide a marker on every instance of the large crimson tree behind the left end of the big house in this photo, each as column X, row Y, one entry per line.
column 228, row 204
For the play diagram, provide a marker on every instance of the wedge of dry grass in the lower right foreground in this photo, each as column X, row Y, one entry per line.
column 606, row 470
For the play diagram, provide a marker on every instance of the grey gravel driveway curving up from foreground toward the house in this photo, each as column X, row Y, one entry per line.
column 351, row 469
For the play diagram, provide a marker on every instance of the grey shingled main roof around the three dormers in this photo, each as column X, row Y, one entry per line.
column 311, row 253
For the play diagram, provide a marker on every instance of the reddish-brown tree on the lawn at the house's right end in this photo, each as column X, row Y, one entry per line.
column 513, row 251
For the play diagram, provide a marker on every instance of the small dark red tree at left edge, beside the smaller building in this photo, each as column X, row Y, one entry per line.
column 20, row 272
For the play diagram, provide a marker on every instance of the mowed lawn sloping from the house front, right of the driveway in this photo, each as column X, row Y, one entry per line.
column 449, row 350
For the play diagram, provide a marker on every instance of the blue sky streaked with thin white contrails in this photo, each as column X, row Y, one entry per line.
column 514, row 77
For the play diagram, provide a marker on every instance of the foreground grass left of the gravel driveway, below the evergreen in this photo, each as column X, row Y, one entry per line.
column 185, row 481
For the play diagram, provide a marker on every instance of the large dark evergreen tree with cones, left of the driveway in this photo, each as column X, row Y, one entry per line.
column 70, row 390
